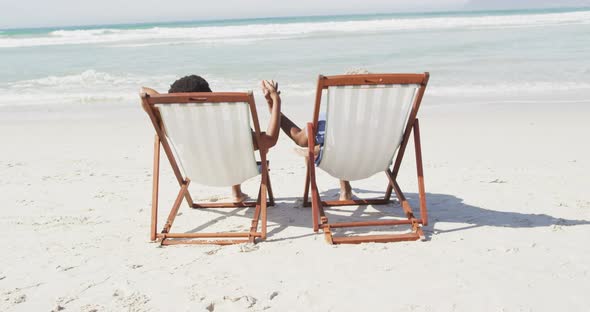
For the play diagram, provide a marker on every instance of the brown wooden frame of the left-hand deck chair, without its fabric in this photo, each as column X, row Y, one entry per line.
column 221, row 238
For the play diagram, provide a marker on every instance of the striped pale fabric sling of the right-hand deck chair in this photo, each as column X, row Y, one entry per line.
column 364, row 128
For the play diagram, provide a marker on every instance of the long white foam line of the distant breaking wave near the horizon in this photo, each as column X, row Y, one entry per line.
column 253, row 32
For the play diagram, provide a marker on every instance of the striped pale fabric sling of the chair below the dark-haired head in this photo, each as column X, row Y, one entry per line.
column 212, row 142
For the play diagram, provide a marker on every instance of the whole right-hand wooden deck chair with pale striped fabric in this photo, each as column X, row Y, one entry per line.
column 369, row 118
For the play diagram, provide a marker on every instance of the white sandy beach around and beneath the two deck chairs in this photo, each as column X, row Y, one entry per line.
column 507, row 192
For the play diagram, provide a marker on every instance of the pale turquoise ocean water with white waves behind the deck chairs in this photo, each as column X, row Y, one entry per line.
column 494, row 56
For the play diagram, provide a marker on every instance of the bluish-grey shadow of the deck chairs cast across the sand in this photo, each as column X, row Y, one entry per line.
column 443, row 208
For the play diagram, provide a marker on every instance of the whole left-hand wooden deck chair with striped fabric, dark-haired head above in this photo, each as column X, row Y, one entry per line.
column 207, row 139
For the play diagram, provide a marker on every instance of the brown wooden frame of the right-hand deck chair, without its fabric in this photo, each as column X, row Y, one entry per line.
column 320, row 220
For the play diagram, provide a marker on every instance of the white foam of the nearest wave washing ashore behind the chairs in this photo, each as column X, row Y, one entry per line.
column 92, row 86
